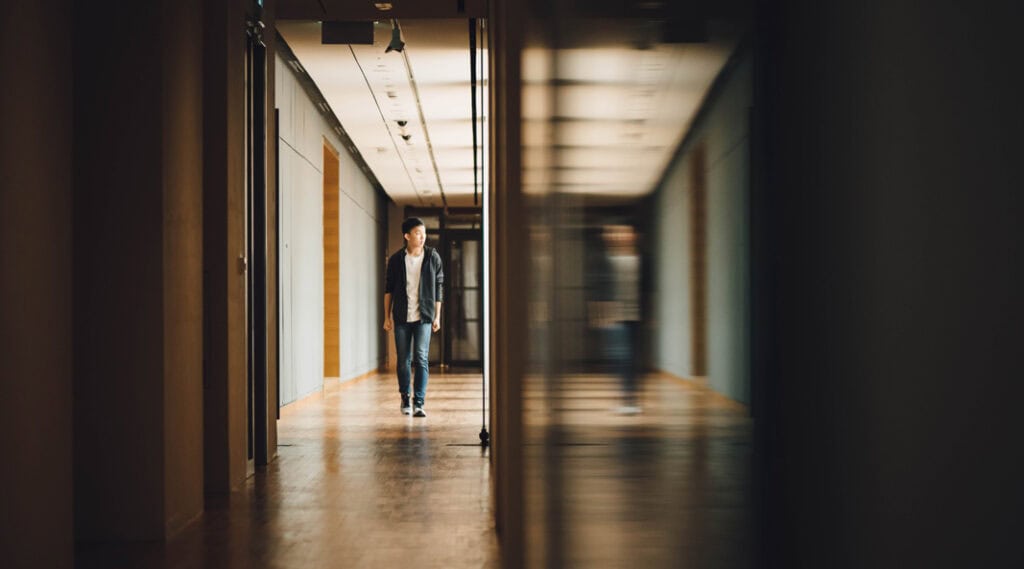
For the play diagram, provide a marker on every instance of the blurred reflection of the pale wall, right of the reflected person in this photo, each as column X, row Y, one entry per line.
column 724, row 132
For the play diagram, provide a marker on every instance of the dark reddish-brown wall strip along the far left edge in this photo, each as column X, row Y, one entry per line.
column 36, row 285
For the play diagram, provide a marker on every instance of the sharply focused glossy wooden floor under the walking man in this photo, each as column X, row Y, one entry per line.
column 356, row 485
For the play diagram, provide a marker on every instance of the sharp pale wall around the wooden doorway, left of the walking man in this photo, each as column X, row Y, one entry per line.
column 303, row 133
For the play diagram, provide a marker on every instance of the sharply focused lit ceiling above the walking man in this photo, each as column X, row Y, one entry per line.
column 429, row 161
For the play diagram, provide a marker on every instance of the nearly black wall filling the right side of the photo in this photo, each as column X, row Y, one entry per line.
column 890, row 265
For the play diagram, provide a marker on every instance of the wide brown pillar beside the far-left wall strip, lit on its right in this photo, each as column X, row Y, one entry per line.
column 138, row 274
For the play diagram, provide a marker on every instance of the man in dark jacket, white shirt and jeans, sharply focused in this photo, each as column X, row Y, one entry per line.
column 413, row 295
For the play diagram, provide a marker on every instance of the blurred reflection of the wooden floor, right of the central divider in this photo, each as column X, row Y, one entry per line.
column 666, row 489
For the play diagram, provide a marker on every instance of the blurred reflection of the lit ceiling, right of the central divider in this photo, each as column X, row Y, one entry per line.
column 606, row 113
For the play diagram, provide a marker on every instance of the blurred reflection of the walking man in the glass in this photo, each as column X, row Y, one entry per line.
column 617, row 311
